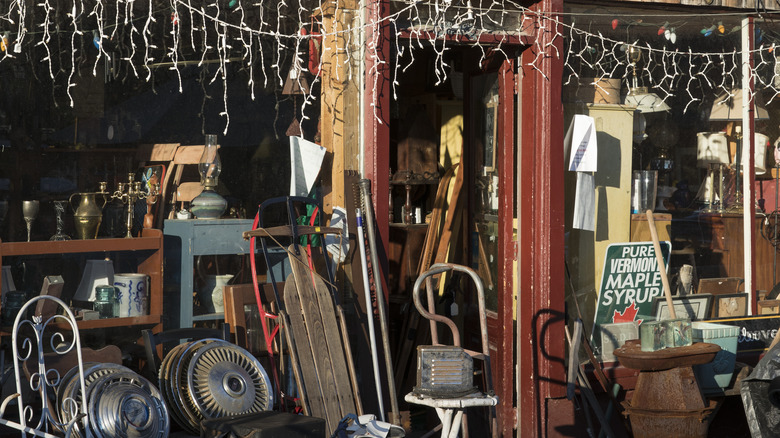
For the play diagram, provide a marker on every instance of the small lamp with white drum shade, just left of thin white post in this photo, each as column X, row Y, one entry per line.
column 712, row 153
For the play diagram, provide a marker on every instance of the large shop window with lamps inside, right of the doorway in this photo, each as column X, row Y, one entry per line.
column 659, row 96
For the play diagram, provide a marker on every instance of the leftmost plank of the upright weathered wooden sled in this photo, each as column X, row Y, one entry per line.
column 303, row 349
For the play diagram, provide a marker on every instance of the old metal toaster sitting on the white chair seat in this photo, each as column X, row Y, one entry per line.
column 444, row 372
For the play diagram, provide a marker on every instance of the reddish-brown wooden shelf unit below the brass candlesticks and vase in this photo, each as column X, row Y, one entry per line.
column 147, row 249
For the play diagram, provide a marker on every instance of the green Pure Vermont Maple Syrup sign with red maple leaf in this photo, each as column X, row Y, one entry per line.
column 629, row 282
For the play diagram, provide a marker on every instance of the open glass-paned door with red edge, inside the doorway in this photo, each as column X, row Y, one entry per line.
column 490, row 170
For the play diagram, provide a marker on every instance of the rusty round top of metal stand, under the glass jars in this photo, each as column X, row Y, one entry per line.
column 631, row 356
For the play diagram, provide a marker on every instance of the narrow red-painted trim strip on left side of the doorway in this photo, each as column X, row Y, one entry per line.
column 377, row 116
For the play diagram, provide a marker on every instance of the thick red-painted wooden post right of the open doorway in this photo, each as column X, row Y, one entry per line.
column 540, row 338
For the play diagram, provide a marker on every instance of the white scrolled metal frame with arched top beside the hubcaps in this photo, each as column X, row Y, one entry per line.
column 44, row 380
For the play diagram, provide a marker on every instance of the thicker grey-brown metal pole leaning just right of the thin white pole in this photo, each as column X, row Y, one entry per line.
column 365, row 189
